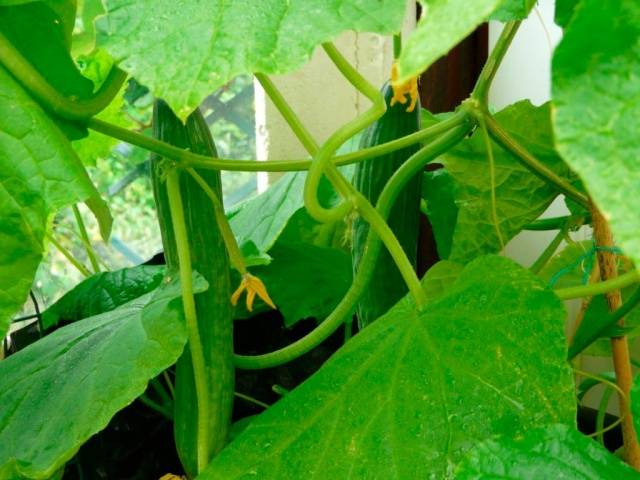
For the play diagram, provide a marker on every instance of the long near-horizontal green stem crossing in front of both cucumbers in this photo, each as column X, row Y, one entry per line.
column 189, row 159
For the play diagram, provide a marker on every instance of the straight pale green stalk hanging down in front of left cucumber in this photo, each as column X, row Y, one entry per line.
column 188, row 302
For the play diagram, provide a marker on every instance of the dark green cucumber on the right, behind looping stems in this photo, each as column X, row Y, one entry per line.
column 387, row 285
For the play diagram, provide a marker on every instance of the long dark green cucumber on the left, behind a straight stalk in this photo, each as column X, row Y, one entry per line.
column 209, row 258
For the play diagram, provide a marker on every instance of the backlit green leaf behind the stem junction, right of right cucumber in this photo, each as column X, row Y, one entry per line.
column 520, row 195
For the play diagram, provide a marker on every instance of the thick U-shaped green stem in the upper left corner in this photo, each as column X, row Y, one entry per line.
column 49, row 97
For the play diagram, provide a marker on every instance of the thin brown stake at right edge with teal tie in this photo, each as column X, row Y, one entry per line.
column 619, row 345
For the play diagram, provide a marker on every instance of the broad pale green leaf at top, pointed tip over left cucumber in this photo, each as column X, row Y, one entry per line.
column 184, row 50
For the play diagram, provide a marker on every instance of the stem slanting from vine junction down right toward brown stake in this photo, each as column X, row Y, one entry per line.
column 529, row 161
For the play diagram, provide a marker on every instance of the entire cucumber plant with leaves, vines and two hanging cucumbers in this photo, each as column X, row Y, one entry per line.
column 468, row 372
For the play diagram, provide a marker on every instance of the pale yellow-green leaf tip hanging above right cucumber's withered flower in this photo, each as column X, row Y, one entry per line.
column 442, row 26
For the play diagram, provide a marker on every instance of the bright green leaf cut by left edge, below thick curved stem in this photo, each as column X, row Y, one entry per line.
column 39, row 174
